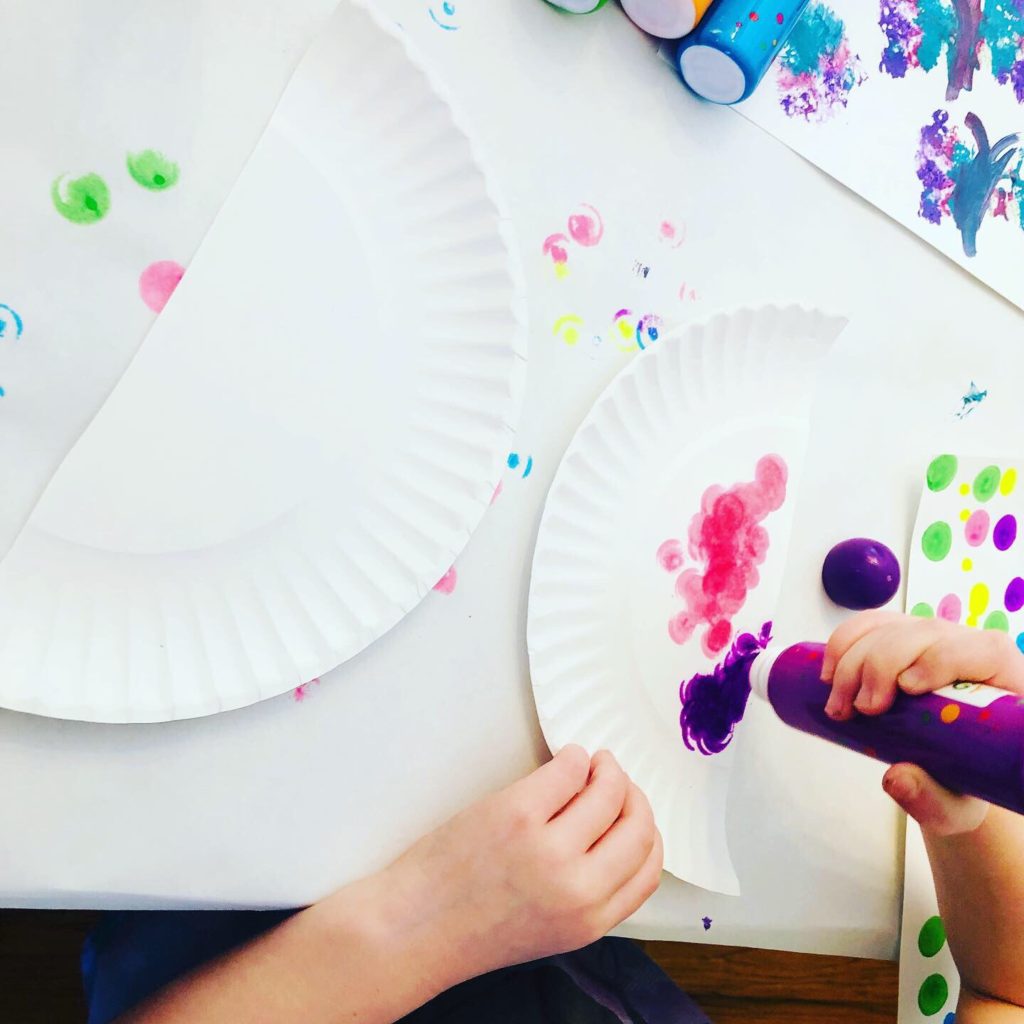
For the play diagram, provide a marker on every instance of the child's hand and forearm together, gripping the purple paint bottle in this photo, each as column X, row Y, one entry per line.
column 976, row 852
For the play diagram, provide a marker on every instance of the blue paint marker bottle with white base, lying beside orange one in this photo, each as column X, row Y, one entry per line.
column 726, row 59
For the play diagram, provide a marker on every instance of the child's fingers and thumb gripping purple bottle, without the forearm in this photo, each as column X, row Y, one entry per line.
column 875, row 654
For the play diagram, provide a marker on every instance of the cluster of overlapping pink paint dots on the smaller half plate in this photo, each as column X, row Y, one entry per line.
column 727, row 535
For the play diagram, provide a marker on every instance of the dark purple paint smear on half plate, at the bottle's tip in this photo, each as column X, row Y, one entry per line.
column 714, row 704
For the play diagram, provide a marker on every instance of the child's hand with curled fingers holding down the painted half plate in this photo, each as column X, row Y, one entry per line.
column 549, row 865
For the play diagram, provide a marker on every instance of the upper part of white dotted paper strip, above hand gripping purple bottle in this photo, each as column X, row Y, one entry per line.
column 967, row 564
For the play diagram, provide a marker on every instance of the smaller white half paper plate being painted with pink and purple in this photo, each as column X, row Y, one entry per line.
column 699, row 409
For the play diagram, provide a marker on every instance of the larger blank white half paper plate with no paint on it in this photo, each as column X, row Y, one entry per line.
column 310, row 433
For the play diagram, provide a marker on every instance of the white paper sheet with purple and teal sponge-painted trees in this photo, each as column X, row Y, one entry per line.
column 850, row 93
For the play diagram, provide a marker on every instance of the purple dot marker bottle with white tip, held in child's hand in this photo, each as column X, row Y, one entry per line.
column 968, row 737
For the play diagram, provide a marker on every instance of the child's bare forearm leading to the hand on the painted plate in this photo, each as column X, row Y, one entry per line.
column 360, row 958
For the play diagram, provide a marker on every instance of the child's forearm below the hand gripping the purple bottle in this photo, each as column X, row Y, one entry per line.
column 980, row 887
